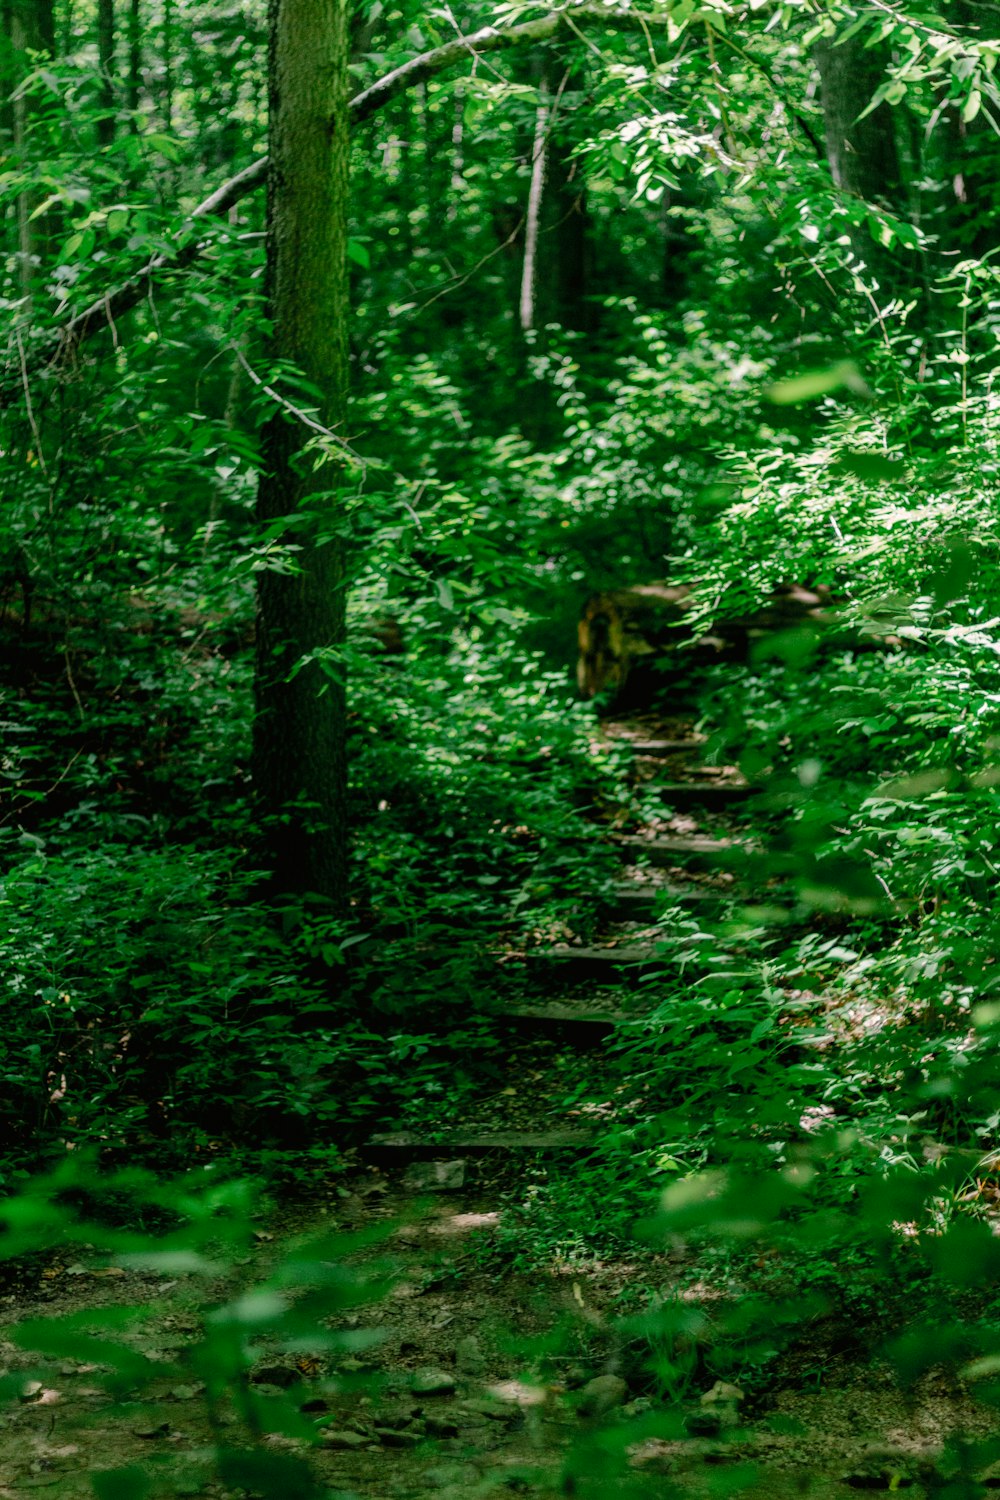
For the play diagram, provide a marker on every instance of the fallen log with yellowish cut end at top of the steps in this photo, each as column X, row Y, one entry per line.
column 626, row 635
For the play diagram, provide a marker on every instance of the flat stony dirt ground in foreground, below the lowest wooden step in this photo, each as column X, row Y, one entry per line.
column 452, row 1402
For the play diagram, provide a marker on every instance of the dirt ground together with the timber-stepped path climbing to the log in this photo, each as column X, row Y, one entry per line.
column 487, row 1379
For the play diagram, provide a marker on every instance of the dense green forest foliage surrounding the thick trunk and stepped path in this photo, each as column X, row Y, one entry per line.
column 762, row 379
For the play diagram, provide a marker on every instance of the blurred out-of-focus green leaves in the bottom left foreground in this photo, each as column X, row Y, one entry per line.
column 211, row 1226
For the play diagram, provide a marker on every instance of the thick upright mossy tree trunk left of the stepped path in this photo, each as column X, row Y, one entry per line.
column 299, row 746
